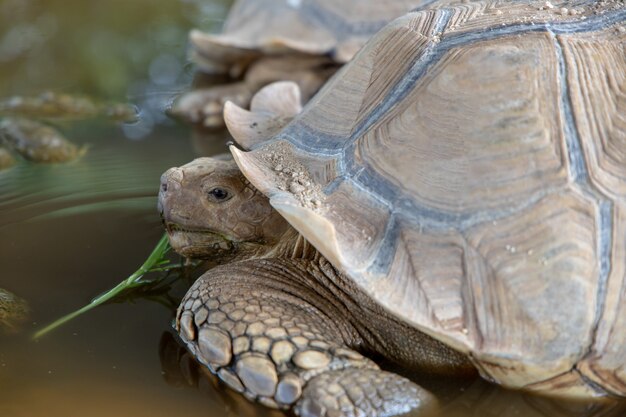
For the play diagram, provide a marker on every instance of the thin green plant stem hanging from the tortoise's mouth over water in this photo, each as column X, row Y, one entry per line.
column 155, row 259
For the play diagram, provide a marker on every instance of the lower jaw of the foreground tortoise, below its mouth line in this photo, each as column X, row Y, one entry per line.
column 197, row 242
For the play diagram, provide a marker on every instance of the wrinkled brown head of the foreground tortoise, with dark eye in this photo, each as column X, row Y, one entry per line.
column 211, row 211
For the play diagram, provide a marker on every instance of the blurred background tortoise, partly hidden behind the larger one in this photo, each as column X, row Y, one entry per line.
column 263, row 41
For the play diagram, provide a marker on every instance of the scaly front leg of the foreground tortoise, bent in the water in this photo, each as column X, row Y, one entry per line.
column 272, row 338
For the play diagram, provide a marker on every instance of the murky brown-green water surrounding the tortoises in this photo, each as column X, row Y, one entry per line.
column 70, row 231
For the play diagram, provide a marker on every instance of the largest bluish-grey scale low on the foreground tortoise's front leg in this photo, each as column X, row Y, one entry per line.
column 258, row 375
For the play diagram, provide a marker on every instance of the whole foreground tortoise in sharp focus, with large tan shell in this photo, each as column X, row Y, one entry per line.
column 455, row 198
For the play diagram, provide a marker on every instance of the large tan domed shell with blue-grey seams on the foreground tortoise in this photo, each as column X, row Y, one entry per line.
column 468, row 170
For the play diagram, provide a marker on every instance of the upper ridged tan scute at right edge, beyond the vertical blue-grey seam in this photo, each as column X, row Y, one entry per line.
column 596, row 75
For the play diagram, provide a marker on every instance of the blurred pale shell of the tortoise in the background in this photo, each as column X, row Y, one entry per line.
column 316, row 27
